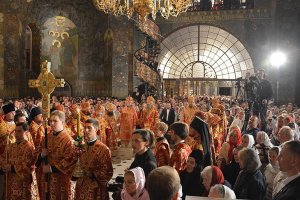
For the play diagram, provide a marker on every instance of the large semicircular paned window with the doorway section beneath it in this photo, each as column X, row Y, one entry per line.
column 201, row 59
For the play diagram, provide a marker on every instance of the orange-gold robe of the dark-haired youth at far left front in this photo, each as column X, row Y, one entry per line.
column 22, row 158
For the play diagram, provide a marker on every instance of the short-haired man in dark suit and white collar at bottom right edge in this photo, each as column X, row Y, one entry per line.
column 289, row 163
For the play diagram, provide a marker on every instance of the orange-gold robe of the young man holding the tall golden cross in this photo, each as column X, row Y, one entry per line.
column 62, row 161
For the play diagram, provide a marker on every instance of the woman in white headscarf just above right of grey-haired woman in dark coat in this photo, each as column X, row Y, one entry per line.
column 263, row 146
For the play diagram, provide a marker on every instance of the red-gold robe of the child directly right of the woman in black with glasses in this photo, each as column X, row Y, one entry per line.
column 162, row 152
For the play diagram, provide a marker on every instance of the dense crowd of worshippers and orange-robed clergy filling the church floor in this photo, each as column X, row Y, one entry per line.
column 199, row 146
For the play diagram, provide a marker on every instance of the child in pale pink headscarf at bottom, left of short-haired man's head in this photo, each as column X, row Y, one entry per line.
column 134, row 185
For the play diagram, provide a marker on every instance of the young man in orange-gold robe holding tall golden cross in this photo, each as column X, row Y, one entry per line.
column 57, row 157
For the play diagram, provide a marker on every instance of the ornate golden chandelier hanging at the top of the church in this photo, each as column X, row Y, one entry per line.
column 144, row 8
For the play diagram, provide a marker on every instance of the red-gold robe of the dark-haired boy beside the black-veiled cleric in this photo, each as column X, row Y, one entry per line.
column 180, row 155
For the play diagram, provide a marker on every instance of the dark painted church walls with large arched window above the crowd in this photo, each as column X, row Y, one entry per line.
column 203, row 50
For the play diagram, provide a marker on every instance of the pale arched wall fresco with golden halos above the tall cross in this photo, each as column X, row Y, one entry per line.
column 60, row 47
